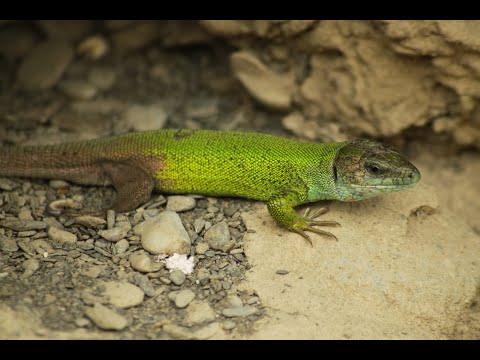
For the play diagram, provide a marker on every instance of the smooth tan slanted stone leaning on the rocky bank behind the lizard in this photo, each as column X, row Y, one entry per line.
column 271, row 89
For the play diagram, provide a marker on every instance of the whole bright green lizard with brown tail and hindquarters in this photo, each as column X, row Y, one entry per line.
column 283, row 172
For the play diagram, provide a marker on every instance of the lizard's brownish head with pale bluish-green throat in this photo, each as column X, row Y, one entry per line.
column 366, row 168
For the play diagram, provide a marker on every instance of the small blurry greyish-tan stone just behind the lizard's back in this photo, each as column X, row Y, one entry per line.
column 145, row 117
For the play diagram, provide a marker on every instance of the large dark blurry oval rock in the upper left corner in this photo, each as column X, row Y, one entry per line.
column 44, row 65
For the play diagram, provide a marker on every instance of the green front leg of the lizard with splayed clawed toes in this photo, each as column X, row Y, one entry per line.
column 281, row 208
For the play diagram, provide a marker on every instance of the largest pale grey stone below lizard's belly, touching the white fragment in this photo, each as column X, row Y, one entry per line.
column 166, row 235
